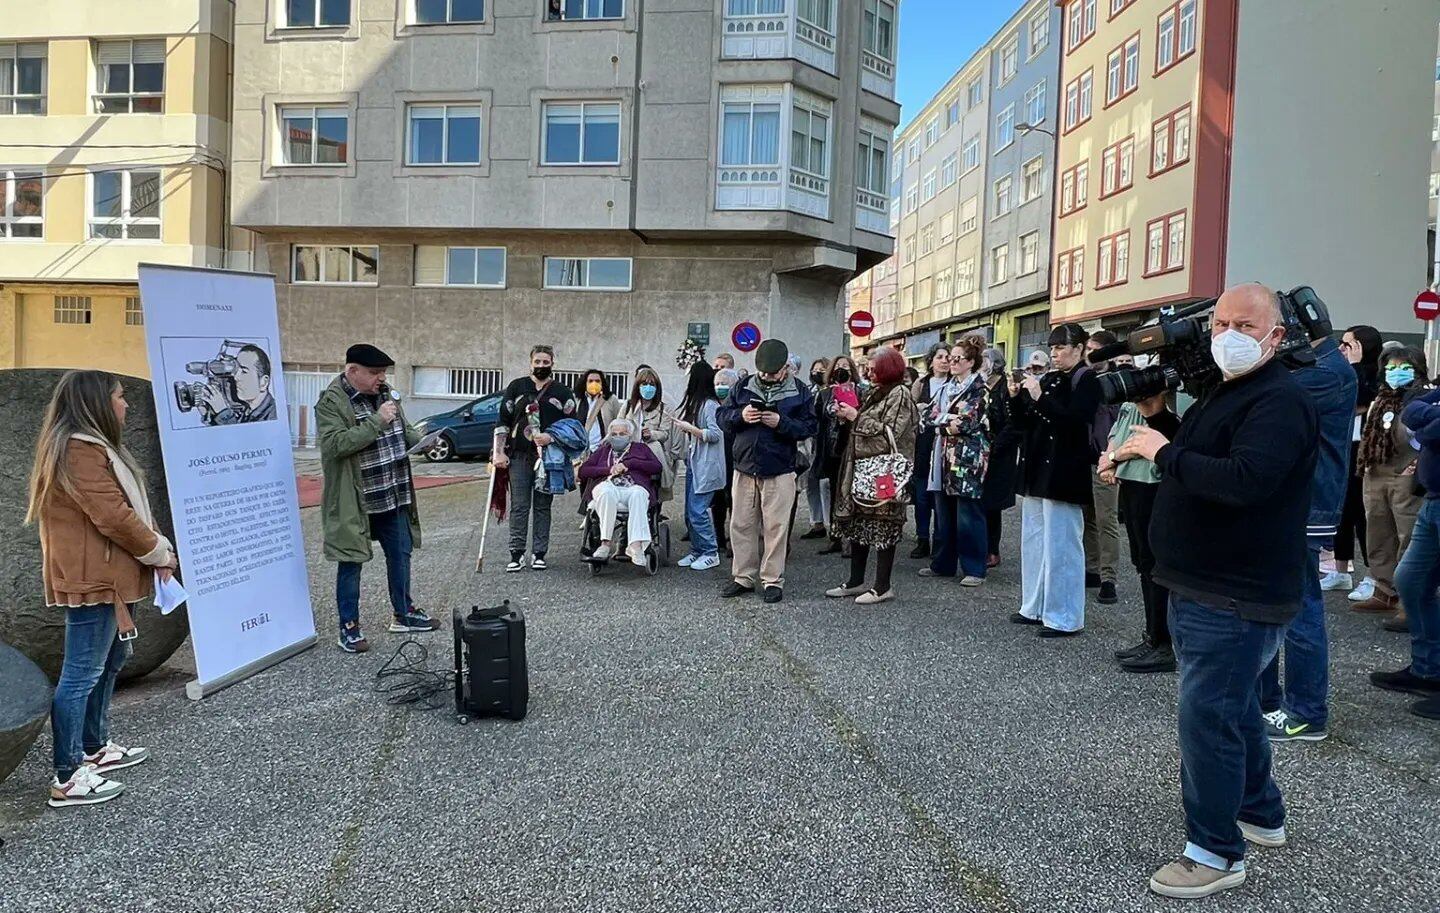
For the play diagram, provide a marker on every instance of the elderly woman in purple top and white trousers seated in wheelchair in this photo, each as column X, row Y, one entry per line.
column 621, row 477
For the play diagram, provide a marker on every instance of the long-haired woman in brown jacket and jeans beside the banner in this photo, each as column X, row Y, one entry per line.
column 100, row 554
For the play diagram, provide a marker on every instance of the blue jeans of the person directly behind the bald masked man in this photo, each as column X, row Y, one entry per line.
column 1307, row 659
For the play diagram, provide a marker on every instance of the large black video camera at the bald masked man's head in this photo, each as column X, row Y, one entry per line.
column 1180, row 343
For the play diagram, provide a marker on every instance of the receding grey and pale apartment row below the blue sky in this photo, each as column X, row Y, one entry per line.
column 973, row 198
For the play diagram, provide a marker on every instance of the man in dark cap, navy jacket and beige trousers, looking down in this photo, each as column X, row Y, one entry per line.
column 770, row 414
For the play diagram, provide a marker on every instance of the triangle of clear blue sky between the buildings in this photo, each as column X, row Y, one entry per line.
column 937, row 37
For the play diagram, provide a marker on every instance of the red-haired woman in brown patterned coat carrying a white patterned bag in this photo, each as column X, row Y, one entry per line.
column 885, row 424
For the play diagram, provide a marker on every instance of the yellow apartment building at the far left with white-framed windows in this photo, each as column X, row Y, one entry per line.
column 114, row 122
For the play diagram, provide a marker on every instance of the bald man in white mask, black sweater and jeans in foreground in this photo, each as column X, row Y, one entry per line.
column 1229, row 536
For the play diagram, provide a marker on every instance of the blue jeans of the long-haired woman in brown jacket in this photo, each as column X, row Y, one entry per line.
column 80, row 714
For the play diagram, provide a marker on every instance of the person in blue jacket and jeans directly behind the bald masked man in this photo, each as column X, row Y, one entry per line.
column 1300, row 712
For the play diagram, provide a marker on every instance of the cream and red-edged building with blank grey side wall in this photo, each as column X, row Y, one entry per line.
column 1207, row 143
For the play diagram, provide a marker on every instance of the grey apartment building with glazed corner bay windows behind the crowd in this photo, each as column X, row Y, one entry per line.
column 457, row 181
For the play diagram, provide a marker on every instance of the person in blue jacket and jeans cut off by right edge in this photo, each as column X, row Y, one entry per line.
column 1419, row 572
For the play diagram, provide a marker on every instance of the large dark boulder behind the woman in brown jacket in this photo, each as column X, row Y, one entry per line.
column 27, row 623
